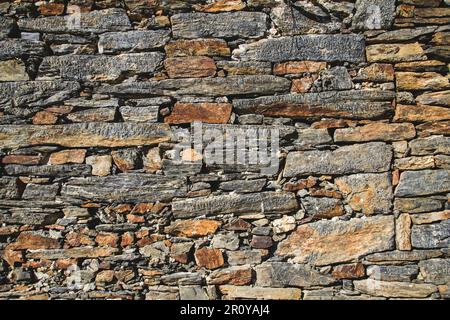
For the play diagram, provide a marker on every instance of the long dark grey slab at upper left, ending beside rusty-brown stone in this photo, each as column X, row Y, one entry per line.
column 98, row 68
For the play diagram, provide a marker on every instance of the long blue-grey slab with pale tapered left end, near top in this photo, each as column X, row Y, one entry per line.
column 342, row 47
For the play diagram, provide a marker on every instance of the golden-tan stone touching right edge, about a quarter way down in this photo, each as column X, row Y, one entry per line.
column 421, row 81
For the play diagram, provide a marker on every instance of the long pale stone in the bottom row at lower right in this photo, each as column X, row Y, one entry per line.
column 394, row 289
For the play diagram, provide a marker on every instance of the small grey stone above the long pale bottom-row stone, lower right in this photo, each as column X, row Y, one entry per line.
column 393, row 273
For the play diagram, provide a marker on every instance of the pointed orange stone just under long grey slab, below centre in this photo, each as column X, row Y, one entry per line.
column 193, row 228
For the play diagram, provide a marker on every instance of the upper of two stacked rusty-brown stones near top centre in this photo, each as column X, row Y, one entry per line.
column 198, row 47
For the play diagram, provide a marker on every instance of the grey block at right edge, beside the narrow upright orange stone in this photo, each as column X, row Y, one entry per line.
column 431, row 236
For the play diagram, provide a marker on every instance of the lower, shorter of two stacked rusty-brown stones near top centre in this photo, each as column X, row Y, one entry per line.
column 190, row 67
